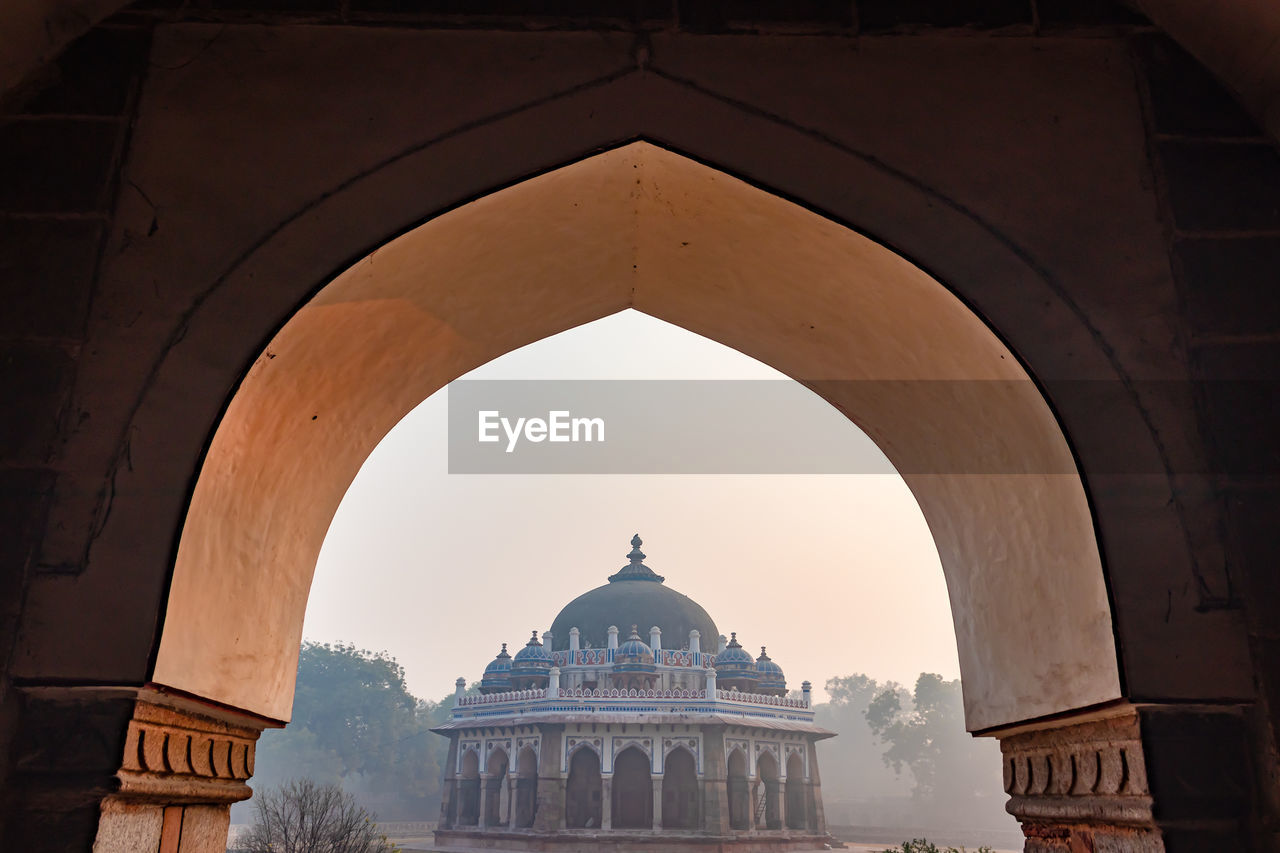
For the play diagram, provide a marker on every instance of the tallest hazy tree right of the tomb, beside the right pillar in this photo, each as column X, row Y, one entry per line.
column 954, row 772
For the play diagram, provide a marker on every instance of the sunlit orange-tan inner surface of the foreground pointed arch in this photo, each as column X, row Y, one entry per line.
column 883, row 343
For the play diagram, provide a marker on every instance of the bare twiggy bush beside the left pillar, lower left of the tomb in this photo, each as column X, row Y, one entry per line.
column 303, row 816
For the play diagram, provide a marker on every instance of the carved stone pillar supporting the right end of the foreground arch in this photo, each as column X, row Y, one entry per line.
column 1146, row 779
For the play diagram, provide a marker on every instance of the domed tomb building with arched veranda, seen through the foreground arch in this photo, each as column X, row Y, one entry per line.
column 618, row 729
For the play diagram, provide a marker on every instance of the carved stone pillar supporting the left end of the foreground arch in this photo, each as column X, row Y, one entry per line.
column 127, row 770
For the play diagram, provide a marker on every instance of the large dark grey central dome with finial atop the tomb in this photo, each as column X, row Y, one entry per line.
column 634, row 596
